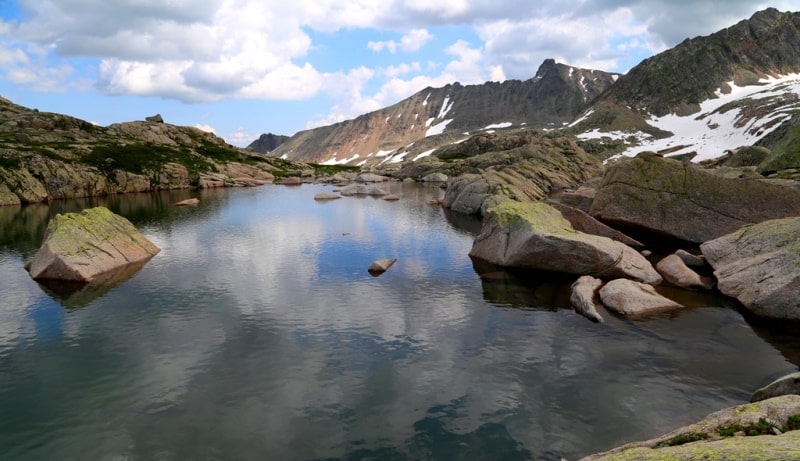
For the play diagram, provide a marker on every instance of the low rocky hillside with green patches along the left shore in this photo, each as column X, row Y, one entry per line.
column 46, row 156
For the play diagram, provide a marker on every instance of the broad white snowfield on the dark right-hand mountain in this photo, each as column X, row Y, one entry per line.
column 739, row 117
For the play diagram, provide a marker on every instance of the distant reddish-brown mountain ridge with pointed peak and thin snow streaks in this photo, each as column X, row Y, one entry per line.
column 549, row 100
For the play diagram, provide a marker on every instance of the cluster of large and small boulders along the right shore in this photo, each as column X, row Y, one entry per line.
column 740, row 235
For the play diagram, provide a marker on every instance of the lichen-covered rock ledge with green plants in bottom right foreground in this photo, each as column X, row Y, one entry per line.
column 763, row 430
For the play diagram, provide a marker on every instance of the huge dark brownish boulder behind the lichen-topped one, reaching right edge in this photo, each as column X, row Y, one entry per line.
column 682, row 200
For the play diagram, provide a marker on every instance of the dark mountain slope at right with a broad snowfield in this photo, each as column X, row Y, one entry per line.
column 737, row 87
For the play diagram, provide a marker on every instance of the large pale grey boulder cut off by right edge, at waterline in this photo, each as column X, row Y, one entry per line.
column 760, row 266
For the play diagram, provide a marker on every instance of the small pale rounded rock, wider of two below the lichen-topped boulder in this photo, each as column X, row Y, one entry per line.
column 632, row 298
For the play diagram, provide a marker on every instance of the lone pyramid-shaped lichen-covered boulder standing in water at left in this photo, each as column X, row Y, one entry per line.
column 83, row 247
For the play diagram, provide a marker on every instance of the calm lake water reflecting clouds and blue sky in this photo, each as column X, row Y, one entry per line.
column 257, row 334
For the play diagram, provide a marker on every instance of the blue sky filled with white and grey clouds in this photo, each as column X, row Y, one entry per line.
column 246, row 67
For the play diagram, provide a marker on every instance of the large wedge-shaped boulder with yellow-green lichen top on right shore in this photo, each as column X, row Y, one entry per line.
column 534, row 235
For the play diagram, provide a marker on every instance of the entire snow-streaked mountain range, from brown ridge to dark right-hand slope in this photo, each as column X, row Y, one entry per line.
column 708, row 95
